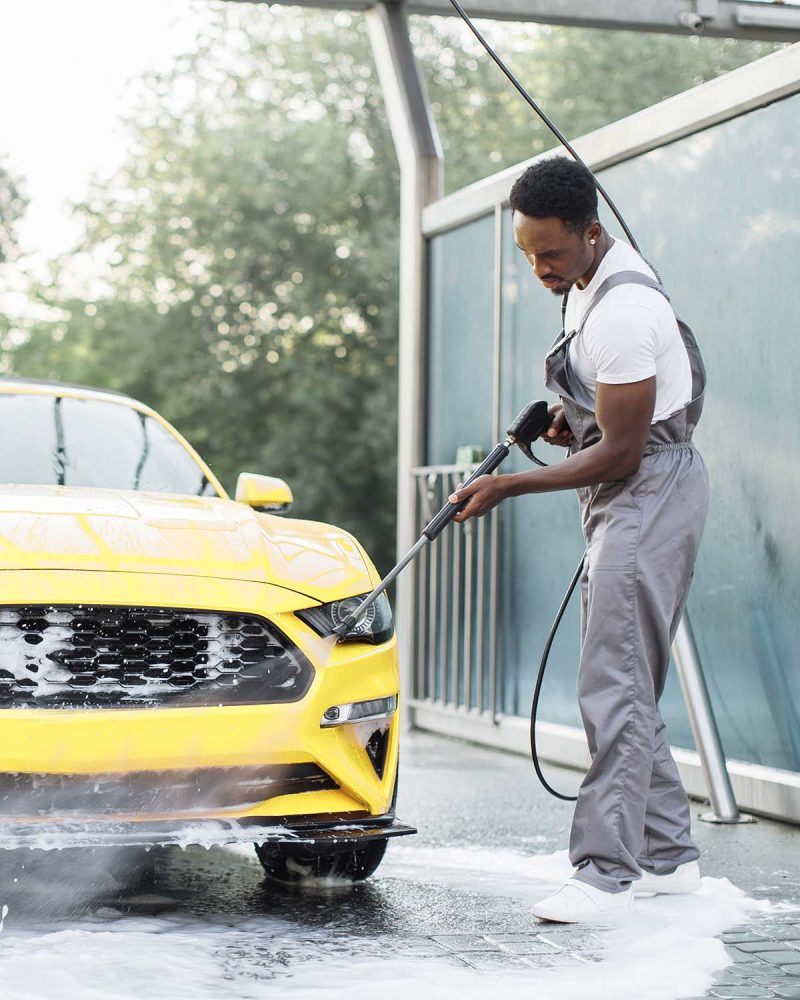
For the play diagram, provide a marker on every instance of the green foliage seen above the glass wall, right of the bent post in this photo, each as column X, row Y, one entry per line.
column 582, row 78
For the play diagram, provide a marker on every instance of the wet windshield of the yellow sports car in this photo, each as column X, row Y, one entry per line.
column 63, row 441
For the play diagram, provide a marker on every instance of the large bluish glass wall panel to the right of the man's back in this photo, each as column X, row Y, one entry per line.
column 729, row 258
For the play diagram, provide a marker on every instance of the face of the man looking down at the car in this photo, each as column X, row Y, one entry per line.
column 558, row 255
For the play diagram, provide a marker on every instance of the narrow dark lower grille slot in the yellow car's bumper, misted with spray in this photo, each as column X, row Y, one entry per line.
column 154, row 792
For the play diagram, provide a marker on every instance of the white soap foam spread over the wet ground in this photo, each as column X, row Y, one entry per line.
column 666, row 949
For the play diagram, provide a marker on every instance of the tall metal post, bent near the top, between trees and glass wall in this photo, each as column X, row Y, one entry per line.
column 420, row 156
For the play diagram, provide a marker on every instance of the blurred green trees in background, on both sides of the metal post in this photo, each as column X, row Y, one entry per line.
column 240, row 271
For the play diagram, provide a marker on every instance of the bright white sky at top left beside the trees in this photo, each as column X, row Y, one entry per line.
column 65, row 67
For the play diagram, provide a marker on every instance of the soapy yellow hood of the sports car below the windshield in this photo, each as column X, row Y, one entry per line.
column 63, row 528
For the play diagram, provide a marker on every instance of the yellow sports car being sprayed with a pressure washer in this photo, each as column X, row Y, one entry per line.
column 168, row 672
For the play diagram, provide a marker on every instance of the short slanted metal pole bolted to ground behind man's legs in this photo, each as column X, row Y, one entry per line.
column 704, row 728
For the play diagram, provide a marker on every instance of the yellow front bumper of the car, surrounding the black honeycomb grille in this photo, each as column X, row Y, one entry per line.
column 120, row 744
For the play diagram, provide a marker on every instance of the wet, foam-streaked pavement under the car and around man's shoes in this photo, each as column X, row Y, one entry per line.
column 445, row 915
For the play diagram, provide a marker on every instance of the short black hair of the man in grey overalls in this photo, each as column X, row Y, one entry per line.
column 559, row 188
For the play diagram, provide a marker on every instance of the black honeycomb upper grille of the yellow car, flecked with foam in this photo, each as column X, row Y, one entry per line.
column 96, row 657
